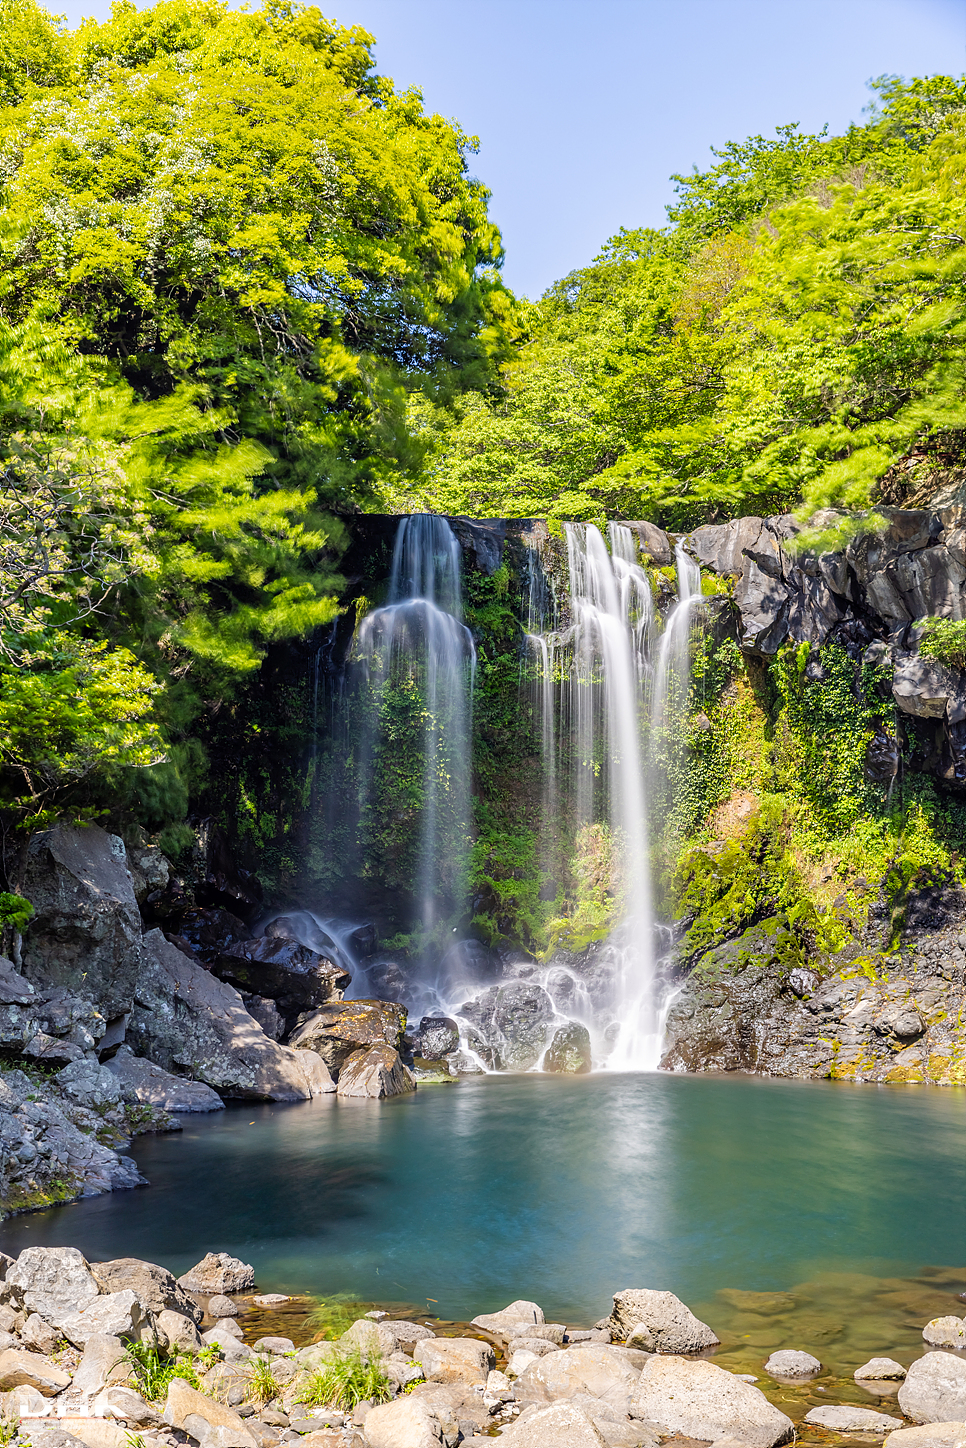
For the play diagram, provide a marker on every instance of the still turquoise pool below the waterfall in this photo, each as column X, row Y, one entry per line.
column 563, row 1191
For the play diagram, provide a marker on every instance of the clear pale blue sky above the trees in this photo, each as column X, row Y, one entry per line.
column 586, row 108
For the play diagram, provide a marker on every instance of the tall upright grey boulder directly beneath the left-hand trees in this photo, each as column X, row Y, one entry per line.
column 86, row 933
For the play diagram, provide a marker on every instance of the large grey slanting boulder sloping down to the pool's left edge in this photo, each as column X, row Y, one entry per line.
column 190, row 1023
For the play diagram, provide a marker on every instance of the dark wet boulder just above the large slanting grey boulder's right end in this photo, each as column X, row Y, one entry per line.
column 283, row 971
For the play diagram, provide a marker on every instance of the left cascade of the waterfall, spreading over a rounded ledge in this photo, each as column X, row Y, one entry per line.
column 418, row 664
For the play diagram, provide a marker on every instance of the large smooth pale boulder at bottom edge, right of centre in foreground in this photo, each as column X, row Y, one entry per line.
column 699, row 1399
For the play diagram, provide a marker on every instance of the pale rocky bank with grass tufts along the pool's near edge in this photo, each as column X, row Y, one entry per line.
column 119, row 1355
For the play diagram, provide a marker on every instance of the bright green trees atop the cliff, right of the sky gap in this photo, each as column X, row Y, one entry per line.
column 796, row 334
